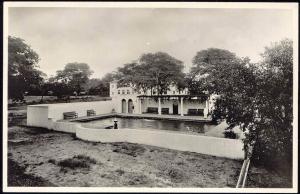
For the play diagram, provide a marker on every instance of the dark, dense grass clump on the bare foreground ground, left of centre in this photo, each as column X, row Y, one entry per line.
column 78, row 161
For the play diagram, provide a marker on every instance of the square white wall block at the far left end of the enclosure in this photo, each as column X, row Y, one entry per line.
column 37, row 116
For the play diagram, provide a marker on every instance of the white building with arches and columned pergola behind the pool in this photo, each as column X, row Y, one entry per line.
column 173, row 102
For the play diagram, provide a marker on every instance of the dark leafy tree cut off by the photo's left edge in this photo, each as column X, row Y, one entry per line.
column 23, row 74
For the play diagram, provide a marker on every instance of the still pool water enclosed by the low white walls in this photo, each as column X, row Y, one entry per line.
column 182, row 126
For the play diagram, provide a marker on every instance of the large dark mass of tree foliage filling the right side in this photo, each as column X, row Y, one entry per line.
column 258, row 98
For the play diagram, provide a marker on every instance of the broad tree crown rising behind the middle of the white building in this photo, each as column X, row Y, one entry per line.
column 153, row 71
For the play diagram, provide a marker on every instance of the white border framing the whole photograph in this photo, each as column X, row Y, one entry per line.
column 290, row 6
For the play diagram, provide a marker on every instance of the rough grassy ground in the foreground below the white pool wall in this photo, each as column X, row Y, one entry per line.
column 39, row 157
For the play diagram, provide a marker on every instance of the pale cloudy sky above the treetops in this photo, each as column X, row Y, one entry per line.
column 107, row 38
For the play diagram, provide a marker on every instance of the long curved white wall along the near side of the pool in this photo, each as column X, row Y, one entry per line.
column 221, row 147
